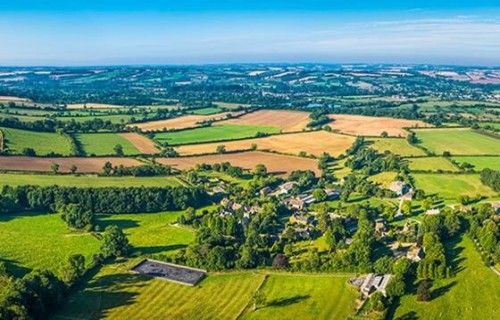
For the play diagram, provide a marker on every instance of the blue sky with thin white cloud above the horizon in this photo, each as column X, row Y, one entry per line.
column 119, row 32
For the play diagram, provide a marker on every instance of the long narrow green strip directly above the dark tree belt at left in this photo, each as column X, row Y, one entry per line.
column 18, row 179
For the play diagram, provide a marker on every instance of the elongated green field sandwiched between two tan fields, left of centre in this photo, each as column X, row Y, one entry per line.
column 213, row 133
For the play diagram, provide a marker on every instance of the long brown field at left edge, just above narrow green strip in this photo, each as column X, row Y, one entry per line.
column 85, row 165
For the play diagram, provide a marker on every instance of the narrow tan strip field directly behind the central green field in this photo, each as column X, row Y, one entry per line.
column 183, row 122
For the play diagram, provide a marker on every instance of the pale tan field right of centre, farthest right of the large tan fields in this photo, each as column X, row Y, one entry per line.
column 373, row 126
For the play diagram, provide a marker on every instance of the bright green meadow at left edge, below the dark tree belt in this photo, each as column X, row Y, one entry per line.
column 30, row 241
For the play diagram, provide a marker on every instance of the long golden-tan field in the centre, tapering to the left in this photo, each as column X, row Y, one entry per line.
column 316, row 143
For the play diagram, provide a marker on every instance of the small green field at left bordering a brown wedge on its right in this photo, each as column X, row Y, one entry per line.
column 102, row 144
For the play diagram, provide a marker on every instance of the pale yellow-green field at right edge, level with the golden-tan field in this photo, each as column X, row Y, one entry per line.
column 458, row 142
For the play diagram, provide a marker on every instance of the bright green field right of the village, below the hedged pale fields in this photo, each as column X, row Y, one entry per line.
column 450, row 186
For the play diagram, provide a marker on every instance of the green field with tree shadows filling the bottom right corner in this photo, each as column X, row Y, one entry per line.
column 472, row 294
